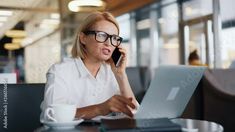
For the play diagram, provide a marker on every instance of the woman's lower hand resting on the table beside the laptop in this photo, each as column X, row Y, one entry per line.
column 117, row 103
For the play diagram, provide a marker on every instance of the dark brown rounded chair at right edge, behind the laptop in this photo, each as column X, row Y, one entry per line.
column 219, row 97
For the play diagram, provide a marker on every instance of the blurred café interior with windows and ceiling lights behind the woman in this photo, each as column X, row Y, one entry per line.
column 38, row 33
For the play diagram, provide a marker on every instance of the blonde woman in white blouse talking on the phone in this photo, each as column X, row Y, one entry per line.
column 90, row 79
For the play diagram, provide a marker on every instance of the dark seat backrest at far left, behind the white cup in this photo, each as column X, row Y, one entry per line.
column 21, row 106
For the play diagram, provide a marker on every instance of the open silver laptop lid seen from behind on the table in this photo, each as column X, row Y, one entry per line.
column 170, row 91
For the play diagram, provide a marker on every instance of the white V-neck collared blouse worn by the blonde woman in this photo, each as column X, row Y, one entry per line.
column 70, row 82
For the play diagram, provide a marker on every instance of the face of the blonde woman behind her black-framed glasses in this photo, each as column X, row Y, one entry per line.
column 98, row 51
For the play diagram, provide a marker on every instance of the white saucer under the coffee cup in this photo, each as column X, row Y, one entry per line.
column 62, row 125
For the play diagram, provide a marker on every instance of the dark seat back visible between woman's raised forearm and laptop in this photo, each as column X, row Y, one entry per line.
column 139, row 79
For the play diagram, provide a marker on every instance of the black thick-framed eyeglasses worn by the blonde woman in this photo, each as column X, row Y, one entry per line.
column 103, row 36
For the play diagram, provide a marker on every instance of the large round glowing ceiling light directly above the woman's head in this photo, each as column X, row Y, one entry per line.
column 74, row 5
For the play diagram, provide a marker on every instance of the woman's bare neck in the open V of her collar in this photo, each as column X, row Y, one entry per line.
column 93, row 66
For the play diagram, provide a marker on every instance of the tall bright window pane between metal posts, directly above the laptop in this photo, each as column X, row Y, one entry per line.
column 168, row 34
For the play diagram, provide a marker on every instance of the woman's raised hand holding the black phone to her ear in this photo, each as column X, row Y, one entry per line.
column 120, row 69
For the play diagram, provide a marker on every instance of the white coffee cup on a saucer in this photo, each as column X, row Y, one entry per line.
column 60, row 112
